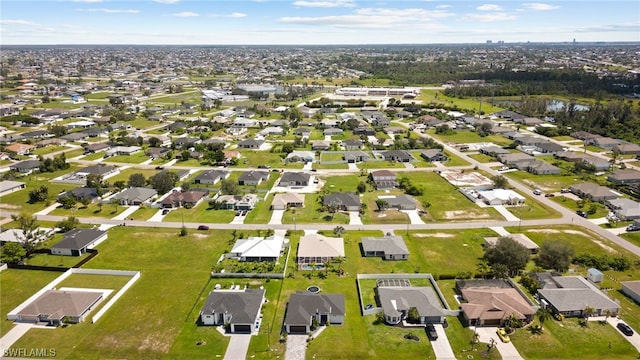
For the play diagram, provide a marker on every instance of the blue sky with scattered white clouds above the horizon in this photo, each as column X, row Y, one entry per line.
column 245, row 22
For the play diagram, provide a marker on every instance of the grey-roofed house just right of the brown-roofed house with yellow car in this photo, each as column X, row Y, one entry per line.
column 571, row 295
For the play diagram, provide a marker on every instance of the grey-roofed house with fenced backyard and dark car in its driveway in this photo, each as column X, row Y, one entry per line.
column 397, row 301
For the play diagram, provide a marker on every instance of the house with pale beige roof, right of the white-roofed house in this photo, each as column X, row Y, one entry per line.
column 315, row 251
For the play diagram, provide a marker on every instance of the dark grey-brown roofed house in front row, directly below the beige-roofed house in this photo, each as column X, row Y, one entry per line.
column 304, row 307
